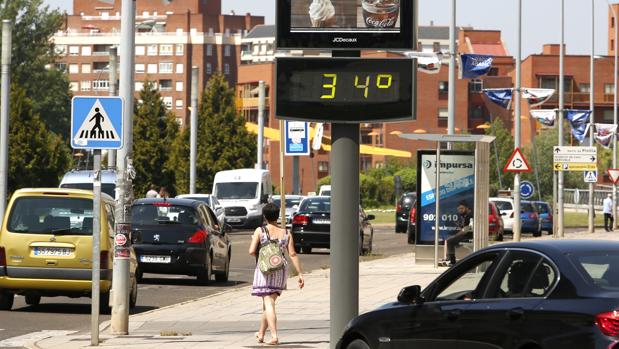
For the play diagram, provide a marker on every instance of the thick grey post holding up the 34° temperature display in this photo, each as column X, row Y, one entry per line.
column 345, row 240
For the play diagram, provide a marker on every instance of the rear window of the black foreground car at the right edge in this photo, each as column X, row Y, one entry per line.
column 599, row 269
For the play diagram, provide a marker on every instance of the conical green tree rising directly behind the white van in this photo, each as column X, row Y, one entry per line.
column 223, row 141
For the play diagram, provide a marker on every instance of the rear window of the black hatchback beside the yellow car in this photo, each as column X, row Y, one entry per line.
column 162, row 214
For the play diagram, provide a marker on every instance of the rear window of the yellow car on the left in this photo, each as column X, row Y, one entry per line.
column 51, row 215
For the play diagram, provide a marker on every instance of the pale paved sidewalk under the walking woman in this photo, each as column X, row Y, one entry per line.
column 229, row 319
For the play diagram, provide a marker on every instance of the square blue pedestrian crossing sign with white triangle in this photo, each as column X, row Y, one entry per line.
column 97, row 123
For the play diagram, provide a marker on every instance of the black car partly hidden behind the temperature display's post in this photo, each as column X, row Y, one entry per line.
column 311, row 226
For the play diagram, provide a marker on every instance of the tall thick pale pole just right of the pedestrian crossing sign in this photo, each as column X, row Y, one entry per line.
column 120, row 283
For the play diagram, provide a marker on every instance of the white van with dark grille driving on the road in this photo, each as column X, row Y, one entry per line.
column 243, row 193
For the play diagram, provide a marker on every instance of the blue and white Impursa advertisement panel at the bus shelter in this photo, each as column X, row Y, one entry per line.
column 457, row 186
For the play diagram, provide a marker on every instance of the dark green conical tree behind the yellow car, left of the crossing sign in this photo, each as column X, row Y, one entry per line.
column 37, row 158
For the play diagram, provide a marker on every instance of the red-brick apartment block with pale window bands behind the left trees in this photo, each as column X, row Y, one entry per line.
column 171, row 37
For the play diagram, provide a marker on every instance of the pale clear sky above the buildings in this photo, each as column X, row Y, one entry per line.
column 541, row 19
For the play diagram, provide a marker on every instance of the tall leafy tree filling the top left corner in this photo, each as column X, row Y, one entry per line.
column 33, row 61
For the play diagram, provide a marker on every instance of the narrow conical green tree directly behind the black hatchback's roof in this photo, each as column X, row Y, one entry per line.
column 154, row 132
